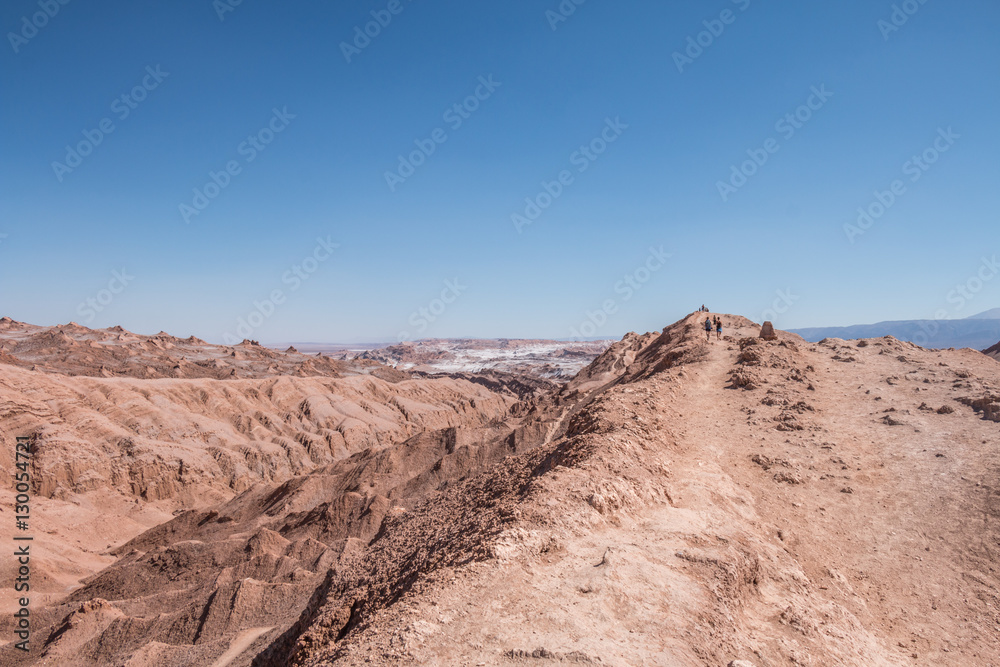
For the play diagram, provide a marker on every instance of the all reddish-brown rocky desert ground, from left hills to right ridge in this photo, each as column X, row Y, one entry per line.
column 680, row 501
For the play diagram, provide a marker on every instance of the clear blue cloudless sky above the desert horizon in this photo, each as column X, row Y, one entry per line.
column 657, row 184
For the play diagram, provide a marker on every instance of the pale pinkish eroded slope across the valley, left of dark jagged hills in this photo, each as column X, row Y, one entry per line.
column 114, row 456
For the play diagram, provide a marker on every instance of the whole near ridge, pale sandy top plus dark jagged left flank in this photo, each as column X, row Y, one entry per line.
column 681, row 502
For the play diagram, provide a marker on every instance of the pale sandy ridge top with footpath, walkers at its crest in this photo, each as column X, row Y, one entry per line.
column 782, row 522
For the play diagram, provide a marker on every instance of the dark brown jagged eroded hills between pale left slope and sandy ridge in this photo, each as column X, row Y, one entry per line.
column 186, row 591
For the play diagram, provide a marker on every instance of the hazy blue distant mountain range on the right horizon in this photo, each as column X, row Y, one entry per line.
column 978, row 331
